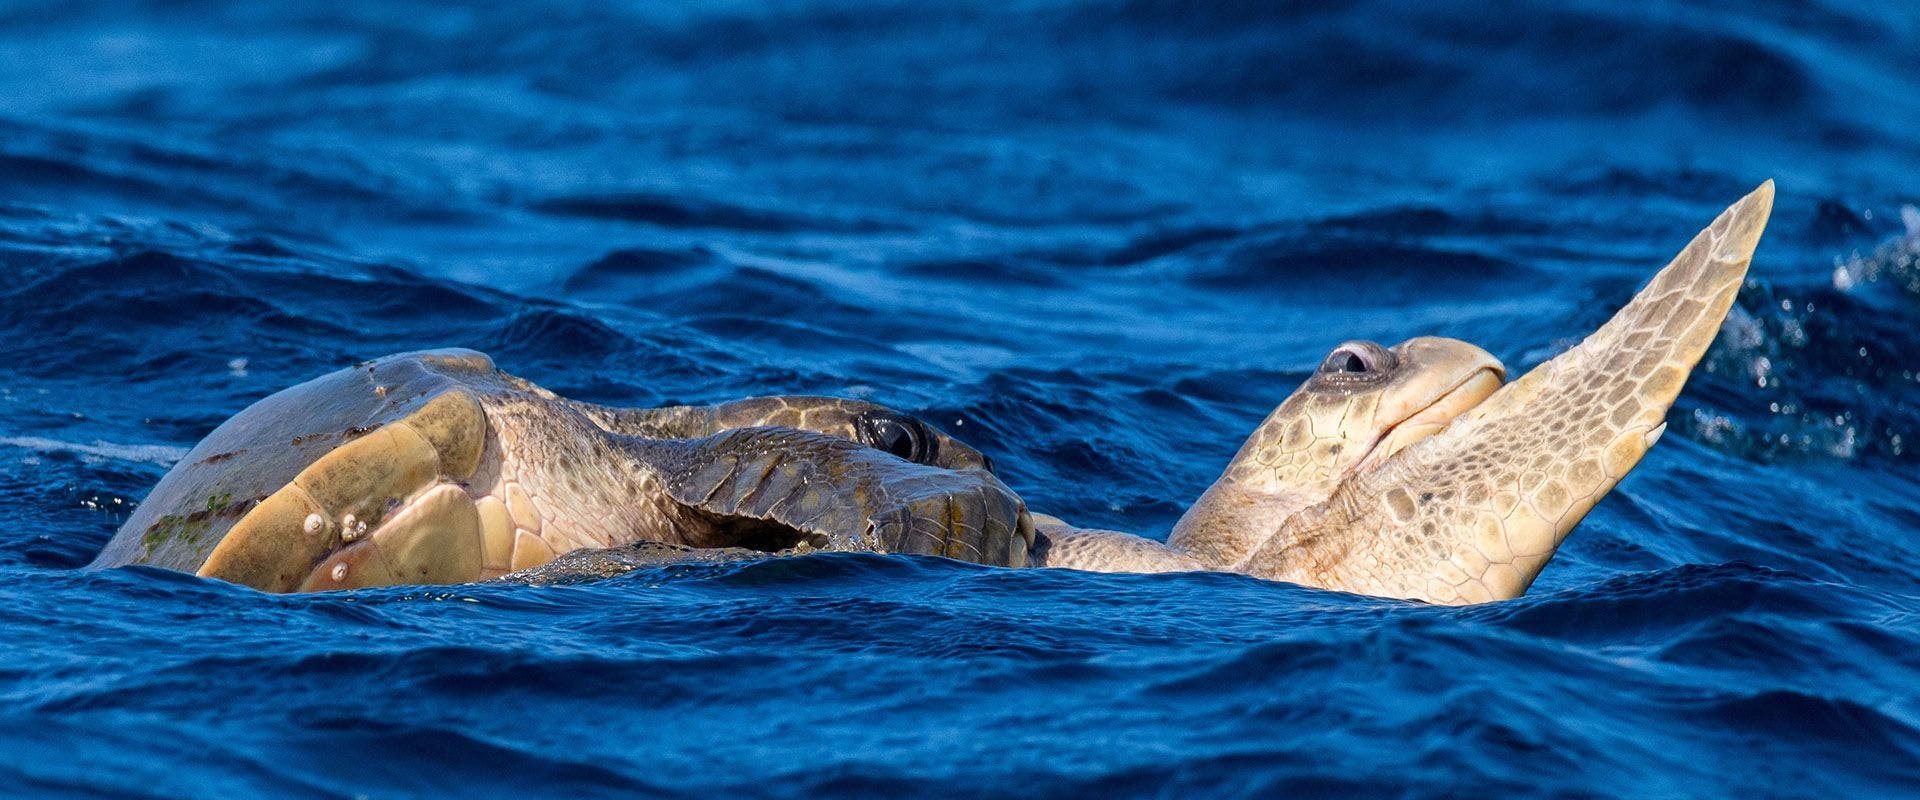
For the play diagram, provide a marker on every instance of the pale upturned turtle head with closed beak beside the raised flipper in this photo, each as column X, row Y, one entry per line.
column 1360, row 408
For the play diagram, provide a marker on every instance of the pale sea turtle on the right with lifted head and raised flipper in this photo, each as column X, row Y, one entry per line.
column 1410, row 471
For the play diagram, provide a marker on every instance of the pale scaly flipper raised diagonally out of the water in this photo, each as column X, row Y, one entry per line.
column 1476, row 511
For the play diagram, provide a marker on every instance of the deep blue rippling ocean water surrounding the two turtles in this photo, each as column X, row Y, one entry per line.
column 1095, row 241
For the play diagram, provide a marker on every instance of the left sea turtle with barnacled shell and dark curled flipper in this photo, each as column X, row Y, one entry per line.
column 441, row 469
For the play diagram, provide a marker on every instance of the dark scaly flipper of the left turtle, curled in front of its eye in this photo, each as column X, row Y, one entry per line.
column 777, row 488
